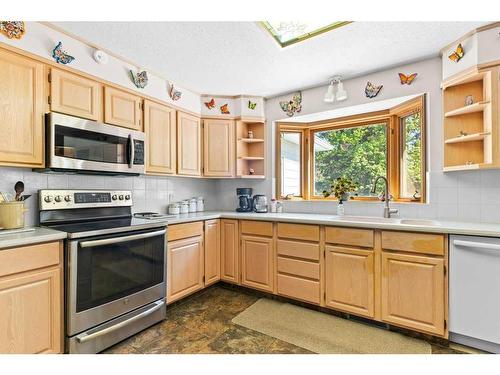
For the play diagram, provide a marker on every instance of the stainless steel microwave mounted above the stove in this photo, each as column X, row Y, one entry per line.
column 85, row 146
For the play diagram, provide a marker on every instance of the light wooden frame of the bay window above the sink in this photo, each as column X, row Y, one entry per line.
column 391, row 117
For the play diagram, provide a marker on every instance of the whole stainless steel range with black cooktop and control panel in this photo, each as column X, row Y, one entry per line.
column 114, row 266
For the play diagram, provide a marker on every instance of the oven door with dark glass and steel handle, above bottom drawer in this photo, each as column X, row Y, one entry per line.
column 108, row 276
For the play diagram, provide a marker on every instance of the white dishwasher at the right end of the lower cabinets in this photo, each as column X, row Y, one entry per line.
column 474, row 289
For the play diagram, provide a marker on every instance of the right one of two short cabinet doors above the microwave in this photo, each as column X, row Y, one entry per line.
column 122, row 109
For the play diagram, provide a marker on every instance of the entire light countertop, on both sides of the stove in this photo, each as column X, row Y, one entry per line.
column 40, row 235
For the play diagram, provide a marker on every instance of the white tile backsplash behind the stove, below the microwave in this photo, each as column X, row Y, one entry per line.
column 150, row 193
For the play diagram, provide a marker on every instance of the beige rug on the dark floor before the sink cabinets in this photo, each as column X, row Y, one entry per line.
column 324, row 333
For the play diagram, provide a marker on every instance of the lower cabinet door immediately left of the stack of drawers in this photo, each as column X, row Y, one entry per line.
column 257, row 262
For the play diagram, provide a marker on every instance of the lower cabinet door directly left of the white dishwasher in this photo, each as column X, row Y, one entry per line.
column 413, row 292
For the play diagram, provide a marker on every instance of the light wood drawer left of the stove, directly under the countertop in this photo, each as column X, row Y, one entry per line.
column 28, row 258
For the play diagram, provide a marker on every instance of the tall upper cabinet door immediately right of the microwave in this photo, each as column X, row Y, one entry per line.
column 160, row 129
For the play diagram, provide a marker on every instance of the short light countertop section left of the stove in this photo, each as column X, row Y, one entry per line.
column 38, row 235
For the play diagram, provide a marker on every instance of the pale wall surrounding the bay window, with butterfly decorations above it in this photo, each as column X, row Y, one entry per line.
column 469, row 196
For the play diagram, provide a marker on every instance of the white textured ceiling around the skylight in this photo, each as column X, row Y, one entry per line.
column 232, row 58
